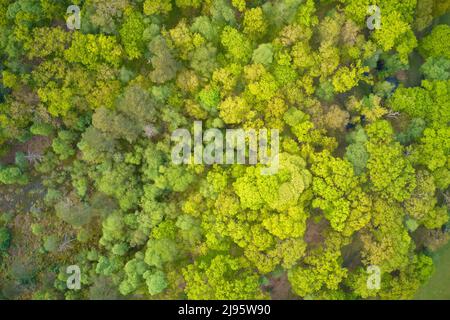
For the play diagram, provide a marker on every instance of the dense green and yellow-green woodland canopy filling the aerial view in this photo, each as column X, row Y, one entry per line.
column 86, row 118
